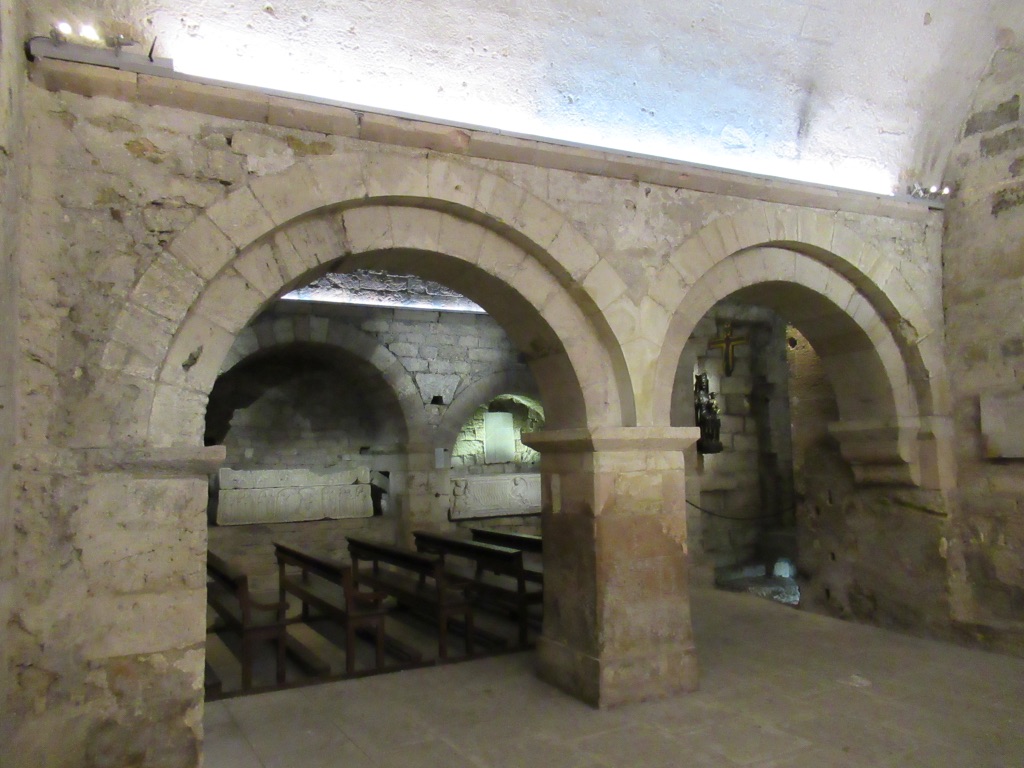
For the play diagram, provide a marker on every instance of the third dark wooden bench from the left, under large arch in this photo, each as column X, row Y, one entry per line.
column 416, row 581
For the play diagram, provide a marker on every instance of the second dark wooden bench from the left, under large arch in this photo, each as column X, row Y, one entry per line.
column 328, row 587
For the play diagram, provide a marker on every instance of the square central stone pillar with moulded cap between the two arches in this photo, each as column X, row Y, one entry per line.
column 617, row 613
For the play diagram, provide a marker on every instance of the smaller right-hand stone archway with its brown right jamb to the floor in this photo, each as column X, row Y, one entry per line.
column 887, row 440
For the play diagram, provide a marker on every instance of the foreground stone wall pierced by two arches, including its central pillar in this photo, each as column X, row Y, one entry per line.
column 157, row 233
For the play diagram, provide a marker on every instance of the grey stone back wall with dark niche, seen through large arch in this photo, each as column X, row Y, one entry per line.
column 298, row 395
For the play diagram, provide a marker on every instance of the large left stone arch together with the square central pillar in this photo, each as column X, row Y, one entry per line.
column 520, row 261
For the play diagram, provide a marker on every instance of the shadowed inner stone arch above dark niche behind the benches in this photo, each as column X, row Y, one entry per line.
column 330, row 332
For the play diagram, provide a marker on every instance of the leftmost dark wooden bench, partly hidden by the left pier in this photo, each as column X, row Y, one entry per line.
column 228, row 594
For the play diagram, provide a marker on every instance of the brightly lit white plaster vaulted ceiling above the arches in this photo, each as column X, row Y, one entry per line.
column 857, row 94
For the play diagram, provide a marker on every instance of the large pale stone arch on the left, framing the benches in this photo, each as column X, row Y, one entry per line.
column 182, row 319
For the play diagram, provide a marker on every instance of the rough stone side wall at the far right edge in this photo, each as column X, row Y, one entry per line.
column 984, row 251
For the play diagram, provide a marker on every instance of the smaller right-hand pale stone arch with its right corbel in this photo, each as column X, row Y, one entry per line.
column 882, row 420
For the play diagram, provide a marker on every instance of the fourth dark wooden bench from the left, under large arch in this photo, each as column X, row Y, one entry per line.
column 498, row 573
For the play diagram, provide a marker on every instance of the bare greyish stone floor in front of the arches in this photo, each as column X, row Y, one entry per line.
column 780, row 689
